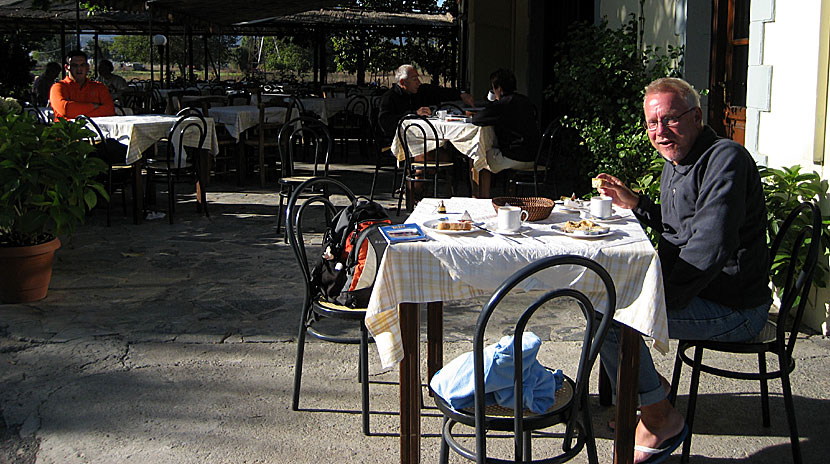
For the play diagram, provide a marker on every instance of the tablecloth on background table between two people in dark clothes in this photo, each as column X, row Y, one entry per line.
column 471, row 140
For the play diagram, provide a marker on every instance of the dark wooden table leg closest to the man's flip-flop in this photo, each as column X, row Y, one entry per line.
column 627, row 379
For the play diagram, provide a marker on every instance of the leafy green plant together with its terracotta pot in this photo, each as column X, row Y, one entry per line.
column 48, row 184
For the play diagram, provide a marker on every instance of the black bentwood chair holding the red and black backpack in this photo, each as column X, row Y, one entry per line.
column 315, row 308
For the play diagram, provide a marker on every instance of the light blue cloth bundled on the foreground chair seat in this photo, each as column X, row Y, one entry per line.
column 455, row 382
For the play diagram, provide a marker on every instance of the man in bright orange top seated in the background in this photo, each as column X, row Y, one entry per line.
column 76, row 95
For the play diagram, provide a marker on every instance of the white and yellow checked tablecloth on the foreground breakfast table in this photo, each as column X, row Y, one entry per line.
column 453, row 267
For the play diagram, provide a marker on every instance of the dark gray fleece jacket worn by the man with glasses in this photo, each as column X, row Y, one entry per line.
column 712, row 221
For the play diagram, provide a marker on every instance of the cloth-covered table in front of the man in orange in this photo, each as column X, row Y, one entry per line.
column 139, row 132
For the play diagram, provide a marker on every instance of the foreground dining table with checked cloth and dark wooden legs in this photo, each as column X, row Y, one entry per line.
column 463, row 266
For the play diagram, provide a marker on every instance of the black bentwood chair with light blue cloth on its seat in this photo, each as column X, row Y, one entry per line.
column 571, row 406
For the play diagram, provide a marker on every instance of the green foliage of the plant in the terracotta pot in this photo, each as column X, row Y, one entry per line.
column 48, row 180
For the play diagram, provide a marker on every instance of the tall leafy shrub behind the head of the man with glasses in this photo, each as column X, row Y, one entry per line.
column 599, row 78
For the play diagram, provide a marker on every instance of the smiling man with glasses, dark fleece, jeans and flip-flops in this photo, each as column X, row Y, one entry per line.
column 711, row 219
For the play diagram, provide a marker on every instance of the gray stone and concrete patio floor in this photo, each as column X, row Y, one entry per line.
column 165, row 343
